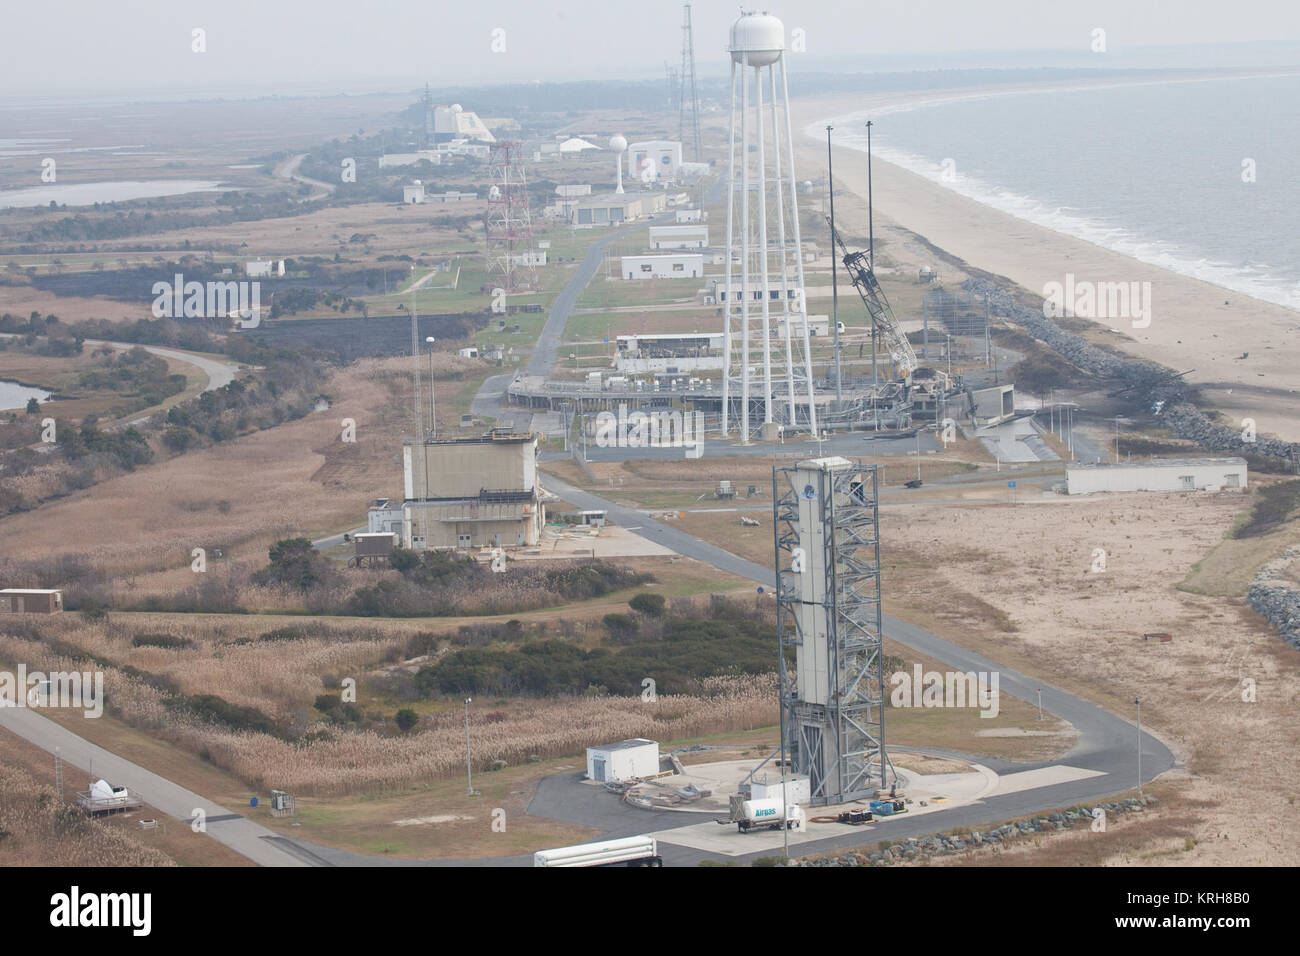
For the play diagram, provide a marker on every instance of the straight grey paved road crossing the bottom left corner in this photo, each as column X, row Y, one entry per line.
column 242, row 836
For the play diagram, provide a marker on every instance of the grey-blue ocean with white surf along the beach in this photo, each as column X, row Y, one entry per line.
column 1154, row 170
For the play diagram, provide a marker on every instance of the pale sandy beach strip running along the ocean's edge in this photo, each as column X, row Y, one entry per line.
column 1195, row 326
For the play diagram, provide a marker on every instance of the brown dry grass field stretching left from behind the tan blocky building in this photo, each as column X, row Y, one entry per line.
column 298, row 479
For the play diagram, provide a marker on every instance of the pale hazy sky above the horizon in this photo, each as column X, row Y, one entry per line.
column 101, row 46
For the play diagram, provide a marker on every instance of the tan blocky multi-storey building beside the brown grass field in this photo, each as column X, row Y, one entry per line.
column 473, row 494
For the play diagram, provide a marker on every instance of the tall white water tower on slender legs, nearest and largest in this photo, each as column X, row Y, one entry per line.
column 759, row 57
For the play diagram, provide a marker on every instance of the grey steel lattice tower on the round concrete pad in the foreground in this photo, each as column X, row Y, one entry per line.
column 827, row 538
